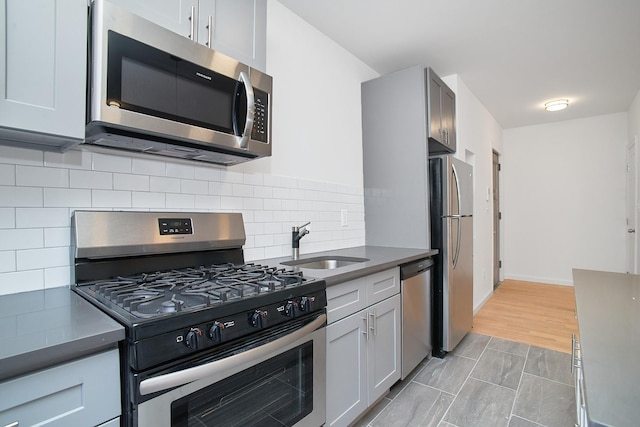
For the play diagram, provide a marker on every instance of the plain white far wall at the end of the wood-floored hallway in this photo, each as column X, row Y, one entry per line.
column 564, row 198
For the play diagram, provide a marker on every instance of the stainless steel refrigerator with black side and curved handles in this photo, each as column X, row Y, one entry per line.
column 451, row 211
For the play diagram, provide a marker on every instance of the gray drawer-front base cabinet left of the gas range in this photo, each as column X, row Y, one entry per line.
column 84, row 392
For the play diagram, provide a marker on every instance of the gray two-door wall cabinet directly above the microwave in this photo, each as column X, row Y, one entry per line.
column 237, row 28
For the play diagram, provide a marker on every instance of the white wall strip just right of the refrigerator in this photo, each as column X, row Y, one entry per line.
column 478, row 134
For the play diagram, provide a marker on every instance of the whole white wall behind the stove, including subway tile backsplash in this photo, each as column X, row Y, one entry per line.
column 315, row 171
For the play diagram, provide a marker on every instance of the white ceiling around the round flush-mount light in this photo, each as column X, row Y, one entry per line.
column 514, row 55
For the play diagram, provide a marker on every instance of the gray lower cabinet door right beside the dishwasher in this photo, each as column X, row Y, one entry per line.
column 383, row 350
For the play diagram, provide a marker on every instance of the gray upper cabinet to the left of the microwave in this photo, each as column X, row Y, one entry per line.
column 43, row 71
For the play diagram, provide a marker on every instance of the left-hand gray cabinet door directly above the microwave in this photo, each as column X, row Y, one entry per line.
column 175, row 15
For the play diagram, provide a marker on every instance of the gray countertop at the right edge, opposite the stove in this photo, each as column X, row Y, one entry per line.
column 608, row 306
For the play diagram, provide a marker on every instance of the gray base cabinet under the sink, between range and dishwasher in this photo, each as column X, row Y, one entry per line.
column 363, row 344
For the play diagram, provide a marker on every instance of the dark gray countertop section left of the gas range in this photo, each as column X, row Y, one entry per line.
column 43, row 328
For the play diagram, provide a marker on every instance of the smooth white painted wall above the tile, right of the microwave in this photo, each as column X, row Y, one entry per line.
column 317, row 132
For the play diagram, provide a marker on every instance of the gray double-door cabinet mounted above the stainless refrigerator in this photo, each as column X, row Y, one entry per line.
column 441, row 115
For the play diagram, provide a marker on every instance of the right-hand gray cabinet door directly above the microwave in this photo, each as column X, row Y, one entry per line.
column 237, row 28
